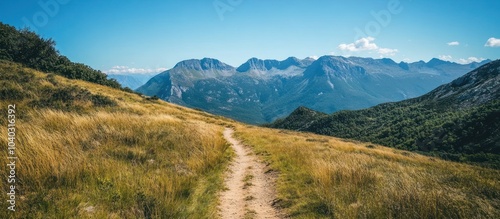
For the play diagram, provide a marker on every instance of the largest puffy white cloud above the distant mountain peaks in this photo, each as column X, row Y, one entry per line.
column 367, row 44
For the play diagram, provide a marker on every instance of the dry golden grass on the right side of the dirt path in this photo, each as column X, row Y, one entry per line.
column 323, row 177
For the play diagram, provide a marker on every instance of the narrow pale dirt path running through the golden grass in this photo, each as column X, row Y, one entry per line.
column 250, row 190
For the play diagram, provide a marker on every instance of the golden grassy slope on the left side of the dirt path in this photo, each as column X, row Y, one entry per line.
column 88, row 151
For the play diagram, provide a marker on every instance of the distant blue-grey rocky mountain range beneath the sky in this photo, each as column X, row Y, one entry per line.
column 260, row 91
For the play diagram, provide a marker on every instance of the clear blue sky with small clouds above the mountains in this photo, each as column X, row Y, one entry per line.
column 150, row 36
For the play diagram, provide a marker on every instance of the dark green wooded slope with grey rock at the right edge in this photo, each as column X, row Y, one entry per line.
column 459, row 121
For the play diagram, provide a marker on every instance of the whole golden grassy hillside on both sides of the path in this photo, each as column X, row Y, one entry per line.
column 90, row 151
